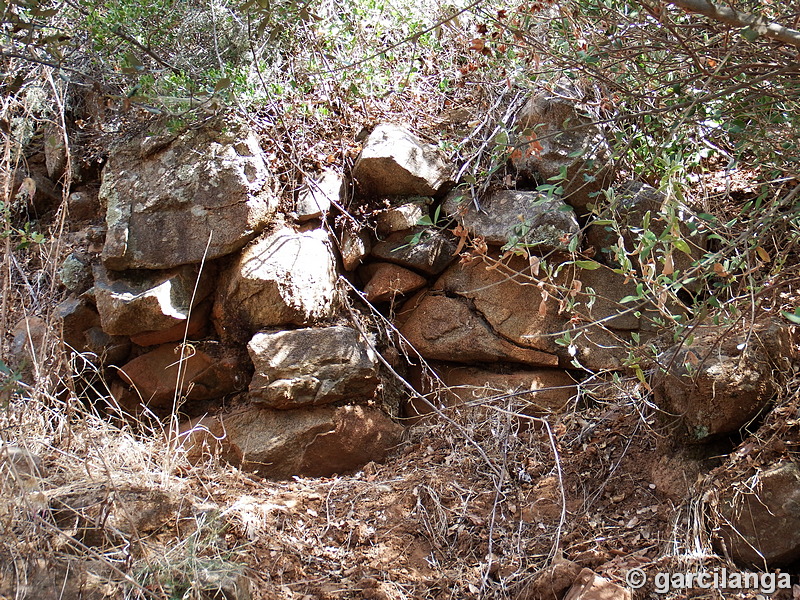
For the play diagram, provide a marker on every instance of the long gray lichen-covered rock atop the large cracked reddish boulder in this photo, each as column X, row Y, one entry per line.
column 522, row 219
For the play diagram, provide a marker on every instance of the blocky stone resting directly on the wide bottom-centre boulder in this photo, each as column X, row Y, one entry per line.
column 304, row 367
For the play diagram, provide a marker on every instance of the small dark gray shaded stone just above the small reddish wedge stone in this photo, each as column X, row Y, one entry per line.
column 426, row 250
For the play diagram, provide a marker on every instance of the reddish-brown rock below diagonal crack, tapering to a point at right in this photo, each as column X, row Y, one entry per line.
column 444, row 328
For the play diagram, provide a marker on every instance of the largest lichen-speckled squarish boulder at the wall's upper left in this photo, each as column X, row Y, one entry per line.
column 172, row 199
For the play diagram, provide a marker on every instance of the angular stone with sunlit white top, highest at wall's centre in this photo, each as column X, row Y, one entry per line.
column 395, row 162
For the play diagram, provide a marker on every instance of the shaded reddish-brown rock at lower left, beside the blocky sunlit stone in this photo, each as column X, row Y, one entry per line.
column 153, row 377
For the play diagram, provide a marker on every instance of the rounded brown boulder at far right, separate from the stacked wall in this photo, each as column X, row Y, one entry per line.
column 721, row 377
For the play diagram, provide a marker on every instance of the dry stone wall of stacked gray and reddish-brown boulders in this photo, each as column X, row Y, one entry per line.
column 198, row 295
